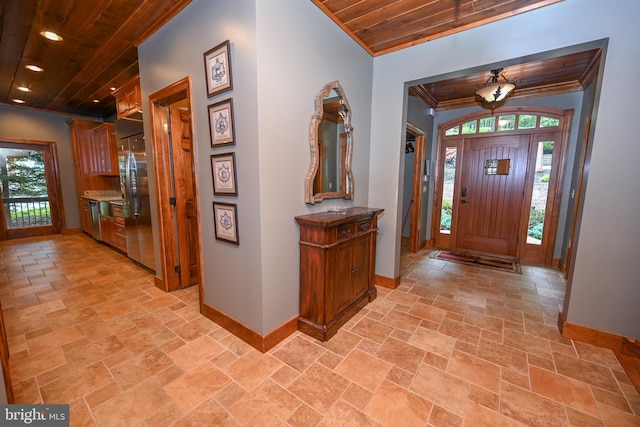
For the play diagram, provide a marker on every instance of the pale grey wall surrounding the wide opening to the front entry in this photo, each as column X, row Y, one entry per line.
column 605, row 289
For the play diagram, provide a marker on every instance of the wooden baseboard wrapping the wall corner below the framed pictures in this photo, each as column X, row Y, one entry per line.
column 248, row 335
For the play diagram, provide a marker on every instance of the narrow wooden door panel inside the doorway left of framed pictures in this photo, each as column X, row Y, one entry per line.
column 185, row 195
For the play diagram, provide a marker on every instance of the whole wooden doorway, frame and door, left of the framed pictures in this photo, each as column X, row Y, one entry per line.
column 177, row 193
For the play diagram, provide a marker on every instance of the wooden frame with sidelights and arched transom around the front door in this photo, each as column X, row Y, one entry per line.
column 545, row 255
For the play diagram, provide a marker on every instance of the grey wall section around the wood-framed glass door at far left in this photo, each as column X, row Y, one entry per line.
column 25, row 123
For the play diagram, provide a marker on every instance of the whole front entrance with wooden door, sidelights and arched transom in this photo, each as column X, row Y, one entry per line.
column 499, row 182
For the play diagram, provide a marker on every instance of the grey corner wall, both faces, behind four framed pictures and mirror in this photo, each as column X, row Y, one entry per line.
column 282, row 53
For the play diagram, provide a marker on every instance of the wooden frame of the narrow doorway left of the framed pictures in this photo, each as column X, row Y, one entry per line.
column 159, row 103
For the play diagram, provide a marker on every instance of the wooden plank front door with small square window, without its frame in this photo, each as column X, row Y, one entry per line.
column 491, row 194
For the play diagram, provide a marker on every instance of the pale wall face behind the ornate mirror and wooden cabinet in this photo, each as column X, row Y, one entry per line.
column 299, row 51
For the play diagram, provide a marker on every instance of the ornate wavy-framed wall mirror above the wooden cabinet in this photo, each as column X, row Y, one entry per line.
column 331, row 143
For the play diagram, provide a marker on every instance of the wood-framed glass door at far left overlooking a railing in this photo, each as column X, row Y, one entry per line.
column 30, row 189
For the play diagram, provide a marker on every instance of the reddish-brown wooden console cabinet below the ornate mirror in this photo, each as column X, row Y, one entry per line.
column 337, row 268
